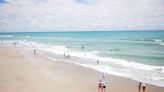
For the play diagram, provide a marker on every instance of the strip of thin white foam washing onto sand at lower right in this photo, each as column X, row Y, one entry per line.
column 144, row 77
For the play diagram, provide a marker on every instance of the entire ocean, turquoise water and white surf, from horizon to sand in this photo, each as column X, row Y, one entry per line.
column 138, row 55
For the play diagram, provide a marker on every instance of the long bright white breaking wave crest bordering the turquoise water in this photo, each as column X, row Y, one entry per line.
column 93, row 55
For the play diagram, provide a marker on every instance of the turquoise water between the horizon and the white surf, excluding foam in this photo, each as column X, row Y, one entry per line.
column 140, row 46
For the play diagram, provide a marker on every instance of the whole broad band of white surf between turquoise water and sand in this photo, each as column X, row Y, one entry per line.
column 110, row 65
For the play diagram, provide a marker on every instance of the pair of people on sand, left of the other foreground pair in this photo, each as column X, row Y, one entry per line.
column 102, row 84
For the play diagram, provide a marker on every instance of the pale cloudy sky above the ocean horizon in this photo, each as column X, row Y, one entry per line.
column 79, row 15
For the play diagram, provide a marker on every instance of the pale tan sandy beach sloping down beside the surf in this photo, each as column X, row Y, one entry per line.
column 23, row 72
